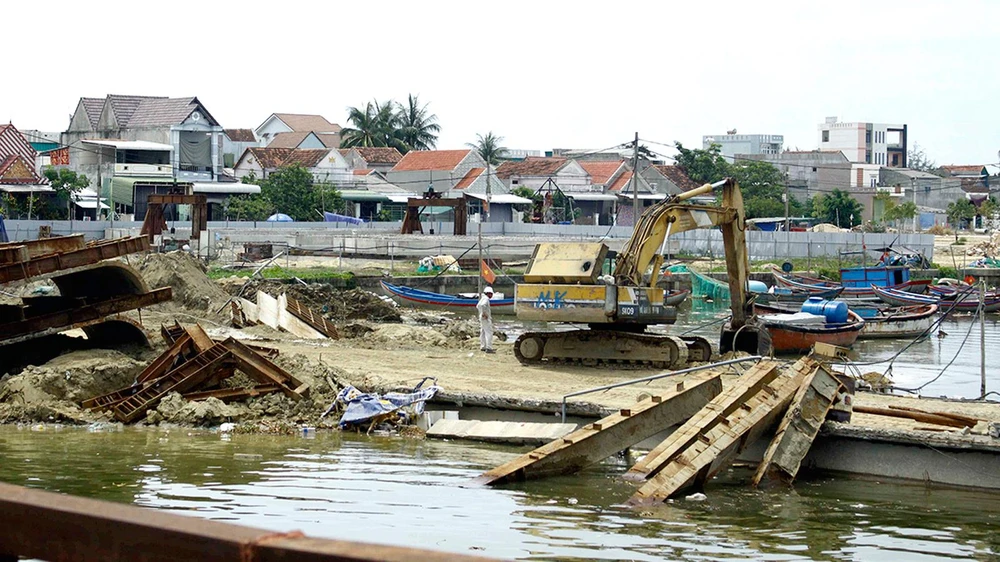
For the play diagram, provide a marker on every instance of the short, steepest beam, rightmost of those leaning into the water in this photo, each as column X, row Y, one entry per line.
column 798, row 428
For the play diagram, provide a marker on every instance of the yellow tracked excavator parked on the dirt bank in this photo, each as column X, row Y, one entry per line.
column 565, row 283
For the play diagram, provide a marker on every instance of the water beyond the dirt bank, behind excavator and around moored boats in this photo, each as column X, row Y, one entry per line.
column 943, row 365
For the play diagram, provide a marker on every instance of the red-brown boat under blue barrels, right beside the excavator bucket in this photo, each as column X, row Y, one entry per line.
column 797, row 333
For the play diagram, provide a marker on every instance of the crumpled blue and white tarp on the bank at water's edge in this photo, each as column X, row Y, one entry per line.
column 362, row 408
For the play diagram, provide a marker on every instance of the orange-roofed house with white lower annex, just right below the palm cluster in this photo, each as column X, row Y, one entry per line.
column 456, row 173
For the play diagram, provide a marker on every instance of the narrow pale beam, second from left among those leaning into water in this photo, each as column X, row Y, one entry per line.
column 720, row 407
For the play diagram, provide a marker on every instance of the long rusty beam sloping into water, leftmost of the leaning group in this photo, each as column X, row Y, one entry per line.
column 599, row 440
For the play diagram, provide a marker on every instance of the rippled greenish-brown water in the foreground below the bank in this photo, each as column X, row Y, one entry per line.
column 418, row 493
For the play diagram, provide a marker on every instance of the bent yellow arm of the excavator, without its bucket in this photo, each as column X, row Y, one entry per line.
column 639, row 261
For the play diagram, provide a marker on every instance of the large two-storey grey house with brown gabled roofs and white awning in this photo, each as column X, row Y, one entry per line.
column 118, row 141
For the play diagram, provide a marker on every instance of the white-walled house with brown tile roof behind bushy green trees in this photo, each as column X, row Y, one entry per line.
column 325, row 164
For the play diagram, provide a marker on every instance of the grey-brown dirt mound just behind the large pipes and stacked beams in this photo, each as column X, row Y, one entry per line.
column 186, row 276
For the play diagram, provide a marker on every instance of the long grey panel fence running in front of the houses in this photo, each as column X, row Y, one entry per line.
column 504, row 240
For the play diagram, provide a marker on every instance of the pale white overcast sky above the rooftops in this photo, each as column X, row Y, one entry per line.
column 543, row 74
